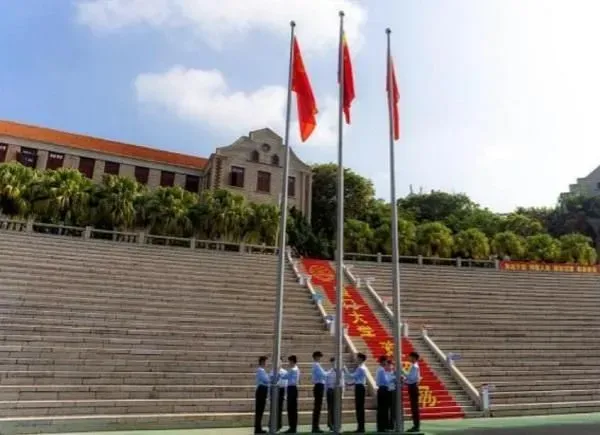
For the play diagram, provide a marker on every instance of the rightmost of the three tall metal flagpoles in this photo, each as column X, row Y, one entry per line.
column 397, row 329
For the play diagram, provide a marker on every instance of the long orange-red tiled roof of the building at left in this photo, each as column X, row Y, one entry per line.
column 41, row 134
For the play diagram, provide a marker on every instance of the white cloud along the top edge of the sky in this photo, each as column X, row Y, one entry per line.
column 216, row 20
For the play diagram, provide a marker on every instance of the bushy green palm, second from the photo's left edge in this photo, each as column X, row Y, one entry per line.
column 61, row 196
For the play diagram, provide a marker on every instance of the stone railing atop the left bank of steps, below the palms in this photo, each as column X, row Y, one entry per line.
column 138, row 237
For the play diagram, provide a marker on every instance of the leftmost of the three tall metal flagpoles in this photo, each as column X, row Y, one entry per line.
column 282, row 242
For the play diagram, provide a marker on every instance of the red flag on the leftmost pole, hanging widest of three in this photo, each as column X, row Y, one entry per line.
column 305, row 99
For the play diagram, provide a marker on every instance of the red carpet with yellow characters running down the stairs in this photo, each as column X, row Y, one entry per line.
column 361, row 322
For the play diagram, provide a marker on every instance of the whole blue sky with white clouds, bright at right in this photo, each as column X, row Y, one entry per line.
column 499, row 97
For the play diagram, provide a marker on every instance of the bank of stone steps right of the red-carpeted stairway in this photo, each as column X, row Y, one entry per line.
column 532, row 335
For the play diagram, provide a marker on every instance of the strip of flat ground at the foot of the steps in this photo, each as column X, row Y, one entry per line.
column 580, row 424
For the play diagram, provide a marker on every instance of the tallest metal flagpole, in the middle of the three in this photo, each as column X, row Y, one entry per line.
column 339, row 313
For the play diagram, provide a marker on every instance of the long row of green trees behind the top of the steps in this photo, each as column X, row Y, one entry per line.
column 435, row 224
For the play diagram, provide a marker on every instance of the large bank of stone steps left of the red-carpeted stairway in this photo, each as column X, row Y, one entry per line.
column 100, row 335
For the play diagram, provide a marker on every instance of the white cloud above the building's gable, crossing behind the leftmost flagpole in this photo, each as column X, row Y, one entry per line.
column 204, row 96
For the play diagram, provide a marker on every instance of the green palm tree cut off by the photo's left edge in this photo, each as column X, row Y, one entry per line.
column 15, row 182
